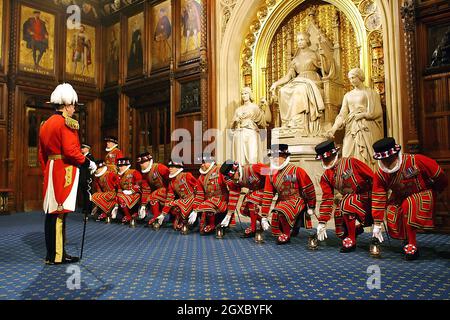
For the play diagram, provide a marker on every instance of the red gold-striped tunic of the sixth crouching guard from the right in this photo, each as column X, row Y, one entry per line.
column 185, row 193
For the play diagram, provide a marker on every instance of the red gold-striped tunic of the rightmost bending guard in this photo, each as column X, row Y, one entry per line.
column 414, row 188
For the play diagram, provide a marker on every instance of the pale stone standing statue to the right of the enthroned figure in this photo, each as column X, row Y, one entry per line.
column 362, row 116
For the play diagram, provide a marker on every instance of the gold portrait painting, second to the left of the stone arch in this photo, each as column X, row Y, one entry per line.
column 162, row 35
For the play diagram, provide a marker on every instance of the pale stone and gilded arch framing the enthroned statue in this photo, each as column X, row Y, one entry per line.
column 244, row 38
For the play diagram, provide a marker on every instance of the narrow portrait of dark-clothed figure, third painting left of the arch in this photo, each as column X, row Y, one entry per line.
column 135, row 45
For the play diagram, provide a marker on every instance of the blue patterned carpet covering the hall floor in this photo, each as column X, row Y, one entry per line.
column 125, row 263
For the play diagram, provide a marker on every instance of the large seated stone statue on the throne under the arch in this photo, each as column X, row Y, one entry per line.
column 300, row 100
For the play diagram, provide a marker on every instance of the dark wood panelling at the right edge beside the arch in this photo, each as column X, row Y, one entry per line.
column 432, row 106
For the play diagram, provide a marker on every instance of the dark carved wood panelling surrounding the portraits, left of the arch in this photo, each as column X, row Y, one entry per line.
column 125, row 97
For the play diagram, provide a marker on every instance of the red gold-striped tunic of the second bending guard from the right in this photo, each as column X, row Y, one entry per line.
column 353, row 179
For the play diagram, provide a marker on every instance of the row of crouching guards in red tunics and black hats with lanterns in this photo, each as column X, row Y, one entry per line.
column 352, row 193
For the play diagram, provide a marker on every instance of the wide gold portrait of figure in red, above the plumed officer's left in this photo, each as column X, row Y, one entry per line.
column 37, row 41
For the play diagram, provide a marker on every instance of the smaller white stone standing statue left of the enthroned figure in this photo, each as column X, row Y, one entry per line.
column 247, row 120
